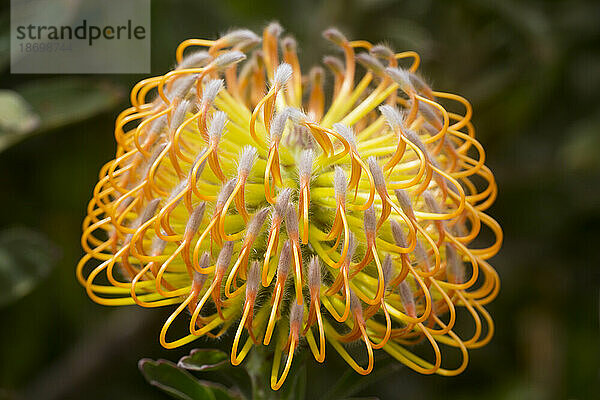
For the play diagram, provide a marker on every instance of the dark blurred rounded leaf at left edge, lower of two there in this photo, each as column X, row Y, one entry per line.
column 26, row 257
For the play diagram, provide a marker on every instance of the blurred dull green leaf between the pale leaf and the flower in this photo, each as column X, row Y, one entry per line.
column 63, row 101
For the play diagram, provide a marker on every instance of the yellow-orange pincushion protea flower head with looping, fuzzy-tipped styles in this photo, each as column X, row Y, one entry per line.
column 238, row 195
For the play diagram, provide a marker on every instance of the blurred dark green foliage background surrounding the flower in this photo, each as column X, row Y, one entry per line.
column 531, row 69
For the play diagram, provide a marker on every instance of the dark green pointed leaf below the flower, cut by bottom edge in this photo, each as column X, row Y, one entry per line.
column 175, row 381
